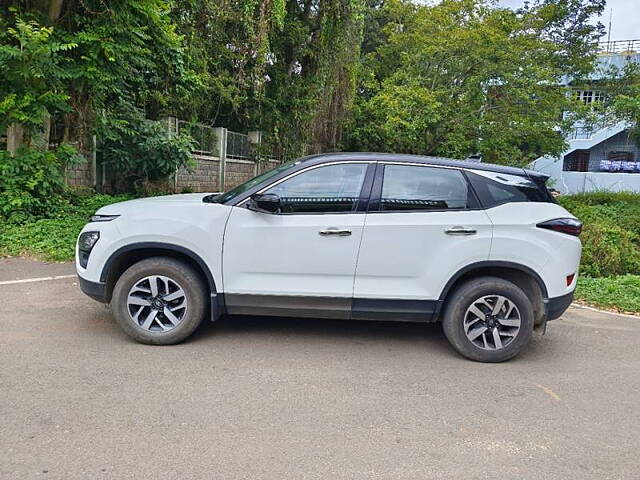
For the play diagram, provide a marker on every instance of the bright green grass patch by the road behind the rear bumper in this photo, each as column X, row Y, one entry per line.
column 621, row 293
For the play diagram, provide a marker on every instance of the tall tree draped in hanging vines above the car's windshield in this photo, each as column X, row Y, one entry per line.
column 286, row 67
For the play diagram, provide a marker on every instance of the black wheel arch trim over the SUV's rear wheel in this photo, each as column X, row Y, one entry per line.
column 523, row 276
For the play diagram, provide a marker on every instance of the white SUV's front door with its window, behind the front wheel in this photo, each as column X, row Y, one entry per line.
column 302, row 261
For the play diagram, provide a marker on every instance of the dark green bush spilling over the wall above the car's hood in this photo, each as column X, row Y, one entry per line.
column 145, row 150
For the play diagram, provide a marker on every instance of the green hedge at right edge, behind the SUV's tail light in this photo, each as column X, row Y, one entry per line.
column 611, row 233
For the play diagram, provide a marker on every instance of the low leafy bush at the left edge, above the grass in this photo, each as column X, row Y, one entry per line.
column 32, row 182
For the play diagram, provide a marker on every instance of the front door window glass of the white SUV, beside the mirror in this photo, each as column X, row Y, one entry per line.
column 331, row 188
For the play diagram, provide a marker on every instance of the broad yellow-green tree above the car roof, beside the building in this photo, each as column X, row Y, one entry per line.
column 463, row 77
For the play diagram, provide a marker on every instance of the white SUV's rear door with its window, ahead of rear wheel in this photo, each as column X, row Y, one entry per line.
column 423, row 225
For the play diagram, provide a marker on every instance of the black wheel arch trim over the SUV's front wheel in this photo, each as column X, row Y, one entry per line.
column 126, row 256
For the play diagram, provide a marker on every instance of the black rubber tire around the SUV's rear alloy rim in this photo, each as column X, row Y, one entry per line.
column 464, row 297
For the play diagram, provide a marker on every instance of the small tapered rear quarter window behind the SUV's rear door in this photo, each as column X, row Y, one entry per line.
column 495, row 188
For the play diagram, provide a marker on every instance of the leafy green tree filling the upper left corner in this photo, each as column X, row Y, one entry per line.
column 89, row 61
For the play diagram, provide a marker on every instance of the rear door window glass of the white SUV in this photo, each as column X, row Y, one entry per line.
column 407, row 187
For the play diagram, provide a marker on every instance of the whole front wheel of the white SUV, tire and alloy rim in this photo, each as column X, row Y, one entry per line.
column 159, row 301
